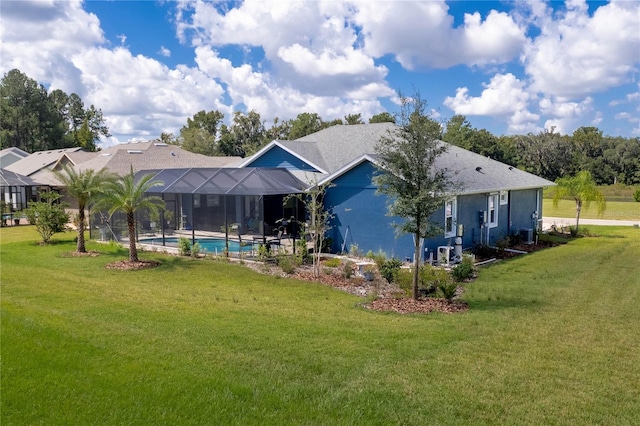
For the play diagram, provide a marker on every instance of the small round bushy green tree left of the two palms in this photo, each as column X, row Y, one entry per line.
column 48, row 216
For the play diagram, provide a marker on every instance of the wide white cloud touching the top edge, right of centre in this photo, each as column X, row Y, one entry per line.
column 422, row 34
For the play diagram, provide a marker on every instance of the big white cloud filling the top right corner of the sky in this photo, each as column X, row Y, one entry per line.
column 576, row 54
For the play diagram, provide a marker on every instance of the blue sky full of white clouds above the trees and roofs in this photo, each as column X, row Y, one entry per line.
column 509, row 67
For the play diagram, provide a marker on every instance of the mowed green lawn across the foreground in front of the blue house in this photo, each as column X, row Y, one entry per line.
column 550, row 338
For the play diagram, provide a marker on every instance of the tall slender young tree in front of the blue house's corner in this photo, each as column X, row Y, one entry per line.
column 409, row 176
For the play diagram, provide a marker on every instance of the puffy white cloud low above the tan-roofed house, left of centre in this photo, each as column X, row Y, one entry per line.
column 157, row 97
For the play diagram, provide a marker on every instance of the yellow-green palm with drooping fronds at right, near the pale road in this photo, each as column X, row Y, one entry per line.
column 583, row 189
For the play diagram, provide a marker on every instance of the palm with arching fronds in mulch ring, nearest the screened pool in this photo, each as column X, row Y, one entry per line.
column 126, row 194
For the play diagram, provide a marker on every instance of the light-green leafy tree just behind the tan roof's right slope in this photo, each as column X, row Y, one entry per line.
column 200, row 133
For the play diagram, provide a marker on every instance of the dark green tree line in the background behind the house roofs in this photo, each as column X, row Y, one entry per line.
column 33, row 119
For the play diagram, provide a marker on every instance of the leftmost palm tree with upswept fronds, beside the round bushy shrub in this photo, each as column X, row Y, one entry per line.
column 85, row 187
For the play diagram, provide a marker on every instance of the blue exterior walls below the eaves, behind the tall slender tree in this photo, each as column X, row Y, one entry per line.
column 360, row 217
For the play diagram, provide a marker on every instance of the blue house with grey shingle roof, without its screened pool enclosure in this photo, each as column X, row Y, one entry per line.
column 496, row 200
